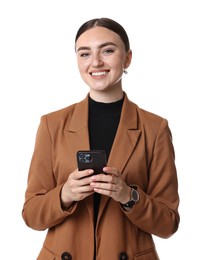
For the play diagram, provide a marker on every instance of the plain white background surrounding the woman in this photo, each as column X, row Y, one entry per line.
column 168, row 76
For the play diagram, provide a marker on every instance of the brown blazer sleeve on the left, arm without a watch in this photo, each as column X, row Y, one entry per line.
column 42, row 206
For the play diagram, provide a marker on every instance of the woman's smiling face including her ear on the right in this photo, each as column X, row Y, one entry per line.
column 101, row 57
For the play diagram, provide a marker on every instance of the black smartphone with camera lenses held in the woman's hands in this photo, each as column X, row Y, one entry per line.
column 91, row 159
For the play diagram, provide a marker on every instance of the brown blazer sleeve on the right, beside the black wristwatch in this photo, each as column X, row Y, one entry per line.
column 157, row 211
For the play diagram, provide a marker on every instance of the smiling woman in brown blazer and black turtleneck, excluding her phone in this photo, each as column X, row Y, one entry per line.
column 111, row 215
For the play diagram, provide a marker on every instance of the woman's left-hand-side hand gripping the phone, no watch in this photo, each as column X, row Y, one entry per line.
column 77, row 187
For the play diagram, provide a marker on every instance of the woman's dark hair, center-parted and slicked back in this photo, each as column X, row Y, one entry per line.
column 107, row 23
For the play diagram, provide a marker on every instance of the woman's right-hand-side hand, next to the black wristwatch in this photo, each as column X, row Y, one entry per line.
column 111, row 184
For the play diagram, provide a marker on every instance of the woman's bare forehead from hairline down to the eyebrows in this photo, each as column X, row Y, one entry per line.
column 98, row 35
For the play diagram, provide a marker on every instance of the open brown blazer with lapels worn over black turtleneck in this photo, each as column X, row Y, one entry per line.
column 142, row 151
